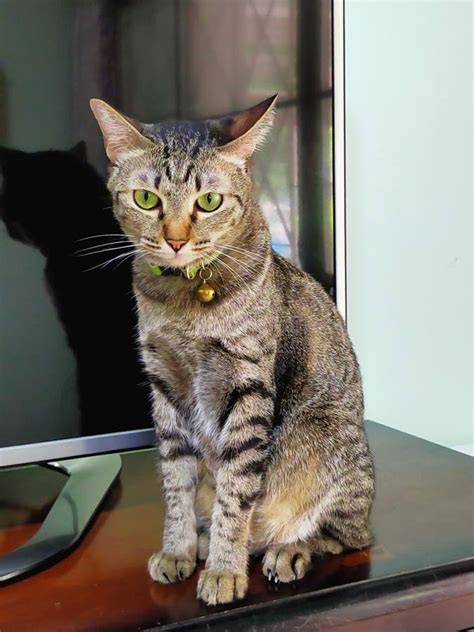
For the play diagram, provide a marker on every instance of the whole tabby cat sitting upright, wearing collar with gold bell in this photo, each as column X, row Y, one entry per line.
column 257, row 394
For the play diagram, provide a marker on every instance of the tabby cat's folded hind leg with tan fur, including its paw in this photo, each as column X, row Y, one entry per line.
column 318, row 493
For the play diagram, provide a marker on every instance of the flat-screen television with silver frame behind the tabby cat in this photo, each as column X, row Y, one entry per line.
column 71, row 383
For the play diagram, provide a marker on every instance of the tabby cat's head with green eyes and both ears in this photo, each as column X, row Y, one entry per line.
column 183, row 190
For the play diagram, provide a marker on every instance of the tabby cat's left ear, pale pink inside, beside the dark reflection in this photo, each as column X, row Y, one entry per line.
column 121, row 134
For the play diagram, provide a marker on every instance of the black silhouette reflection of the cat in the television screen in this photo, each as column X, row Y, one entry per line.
column 67, row 204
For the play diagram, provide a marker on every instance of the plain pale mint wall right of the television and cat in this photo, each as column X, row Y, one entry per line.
column 409, row 212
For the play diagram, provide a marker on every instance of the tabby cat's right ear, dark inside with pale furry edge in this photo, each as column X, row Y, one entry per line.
column 245, row 132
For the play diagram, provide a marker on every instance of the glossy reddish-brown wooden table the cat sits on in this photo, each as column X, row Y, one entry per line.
column 419, row 575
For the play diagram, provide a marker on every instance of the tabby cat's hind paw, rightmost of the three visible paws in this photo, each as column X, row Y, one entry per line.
column 286, row 563
